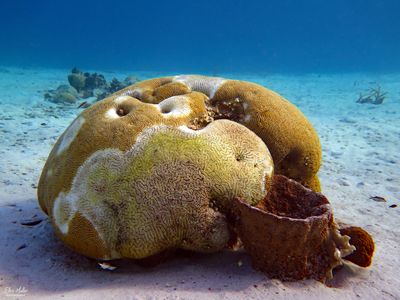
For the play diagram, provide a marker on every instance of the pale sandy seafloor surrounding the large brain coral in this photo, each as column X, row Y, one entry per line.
column 361, row 159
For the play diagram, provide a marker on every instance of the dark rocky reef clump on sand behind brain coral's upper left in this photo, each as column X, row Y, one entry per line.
column 87, row 86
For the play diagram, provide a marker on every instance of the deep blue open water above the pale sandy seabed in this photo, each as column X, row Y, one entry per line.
column 203, row 36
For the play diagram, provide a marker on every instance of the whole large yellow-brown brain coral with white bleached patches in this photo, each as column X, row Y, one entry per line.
column 157, row 165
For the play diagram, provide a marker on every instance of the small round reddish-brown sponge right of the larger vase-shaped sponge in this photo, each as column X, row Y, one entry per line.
column 364, row 244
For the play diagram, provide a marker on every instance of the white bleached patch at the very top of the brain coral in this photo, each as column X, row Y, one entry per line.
column 203, row 84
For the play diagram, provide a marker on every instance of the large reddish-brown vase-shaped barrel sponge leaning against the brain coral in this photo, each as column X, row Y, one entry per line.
column 291, row 234
